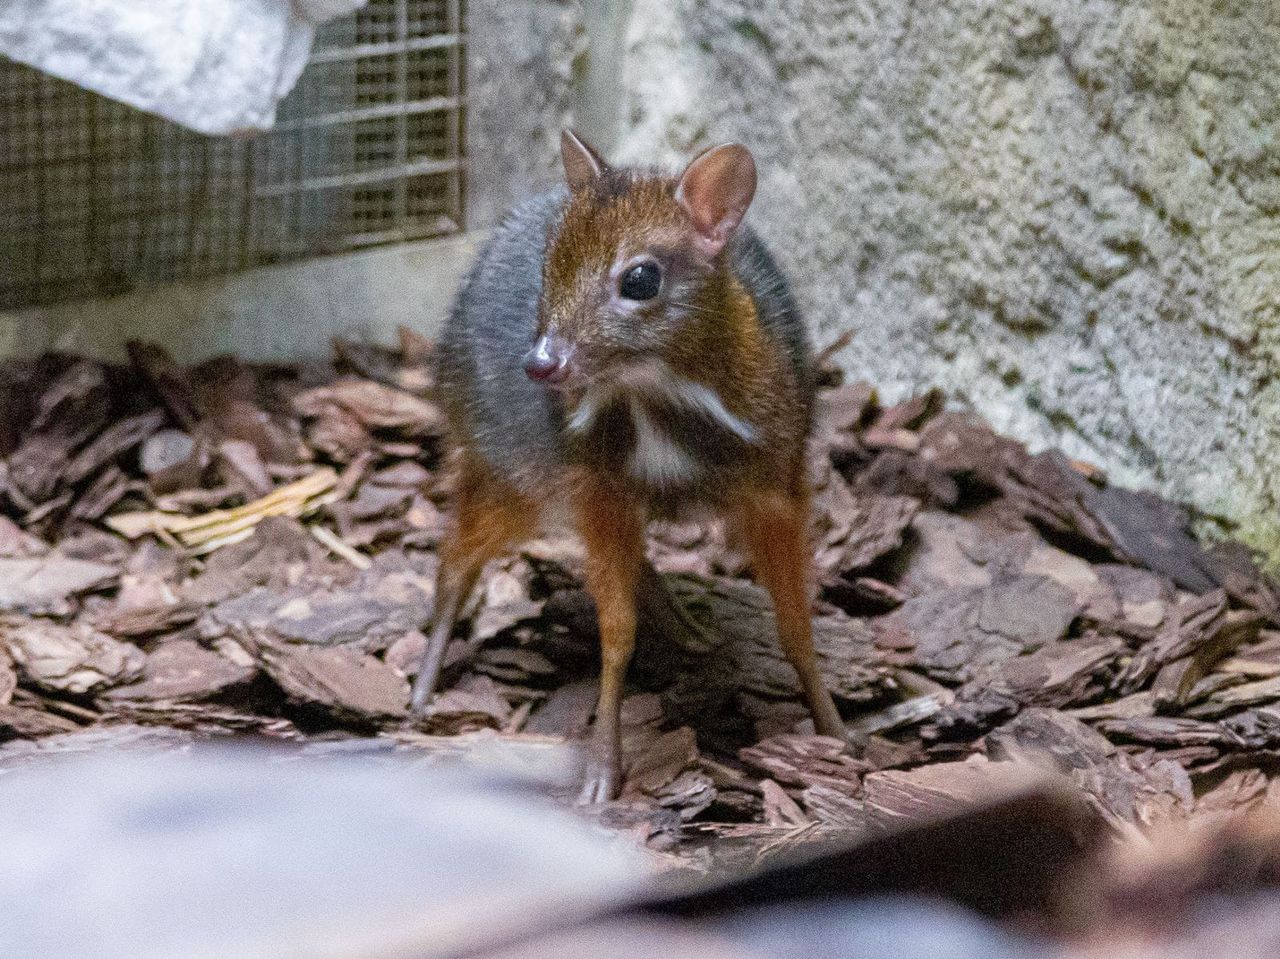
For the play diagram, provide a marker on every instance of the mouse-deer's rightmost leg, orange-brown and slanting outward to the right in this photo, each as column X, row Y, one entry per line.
column 774, row 527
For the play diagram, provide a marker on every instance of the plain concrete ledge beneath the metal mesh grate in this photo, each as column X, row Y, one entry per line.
column 275, row 313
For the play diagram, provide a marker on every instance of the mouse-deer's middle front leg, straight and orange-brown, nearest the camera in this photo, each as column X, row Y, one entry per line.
column 612, row 528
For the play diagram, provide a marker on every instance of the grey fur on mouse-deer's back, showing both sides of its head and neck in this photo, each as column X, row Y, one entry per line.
column 515, row 424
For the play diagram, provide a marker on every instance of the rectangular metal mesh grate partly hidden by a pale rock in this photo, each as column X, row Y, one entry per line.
column 97, row 198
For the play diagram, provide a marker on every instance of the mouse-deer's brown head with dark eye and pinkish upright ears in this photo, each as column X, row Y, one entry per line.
column 632, row 262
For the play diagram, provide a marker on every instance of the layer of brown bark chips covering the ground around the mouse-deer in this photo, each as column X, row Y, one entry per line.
column 234, row 547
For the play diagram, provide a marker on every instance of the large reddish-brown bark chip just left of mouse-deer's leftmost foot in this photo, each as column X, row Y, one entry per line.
column 340, row 679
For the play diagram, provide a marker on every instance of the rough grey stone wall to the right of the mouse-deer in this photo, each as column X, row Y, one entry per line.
column 1064, row 212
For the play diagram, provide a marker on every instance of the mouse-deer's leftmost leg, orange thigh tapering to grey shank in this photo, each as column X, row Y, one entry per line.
column 490, row 515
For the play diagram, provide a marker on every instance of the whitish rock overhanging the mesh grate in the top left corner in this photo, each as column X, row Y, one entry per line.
column 214, row 66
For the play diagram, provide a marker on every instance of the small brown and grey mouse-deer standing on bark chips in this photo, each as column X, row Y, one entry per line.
column 623, row 350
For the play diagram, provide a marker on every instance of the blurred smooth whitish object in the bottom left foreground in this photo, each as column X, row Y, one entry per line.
column 259, row 853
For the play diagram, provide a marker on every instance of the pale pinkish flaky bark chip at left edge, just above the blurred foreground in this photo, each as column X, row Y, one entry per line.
column 70, row 659
